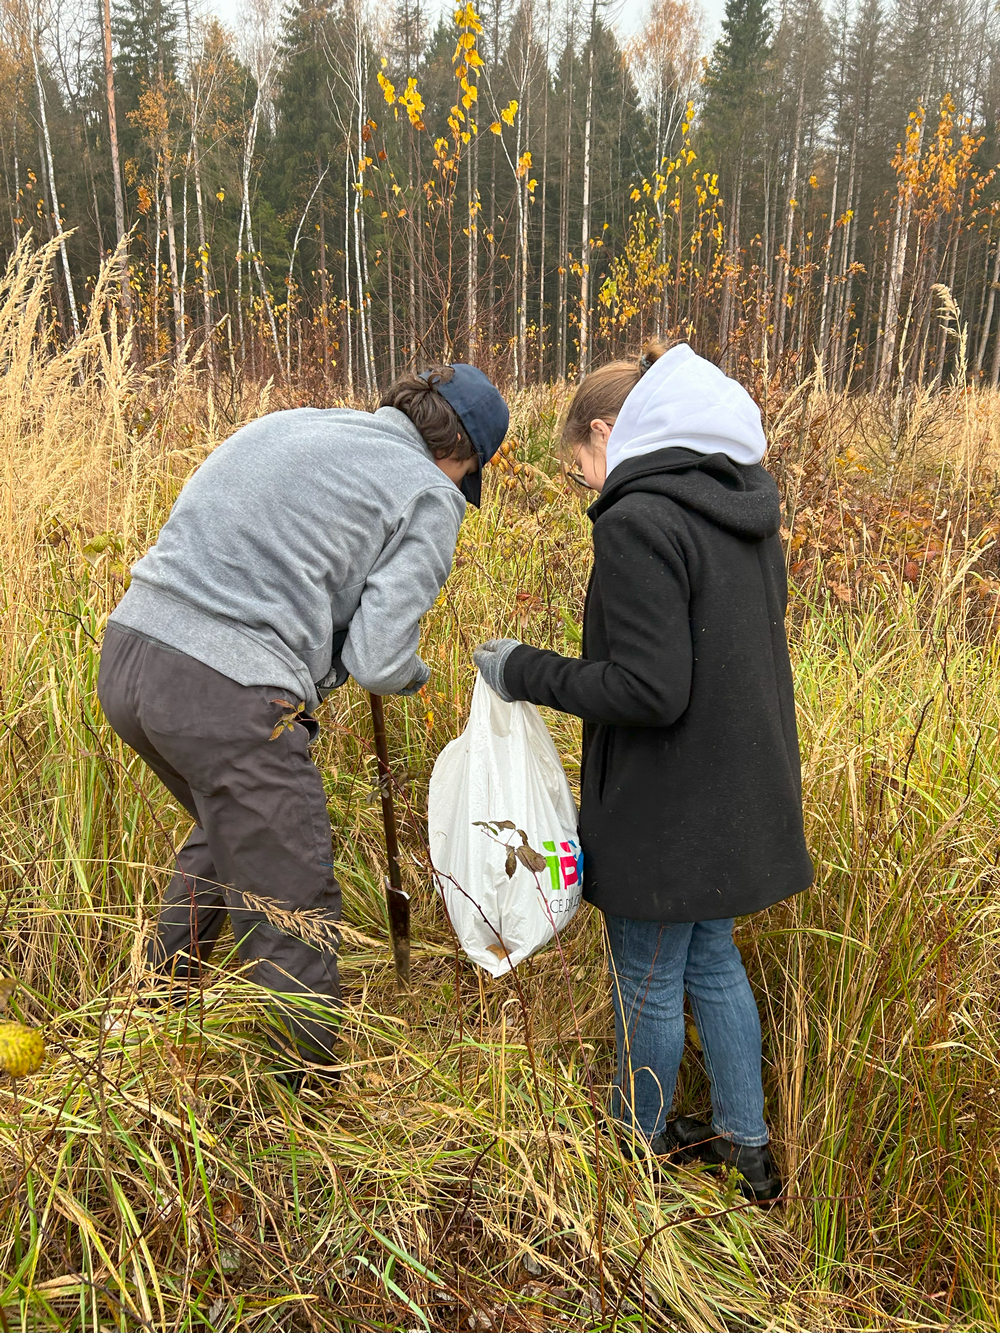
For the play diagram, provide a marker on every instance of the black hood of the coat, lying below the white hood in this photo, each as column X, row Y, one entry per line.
column 738, row 498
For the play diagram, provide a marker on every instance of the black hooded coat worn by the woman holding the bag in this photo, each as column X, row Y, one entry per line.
column 691, row 780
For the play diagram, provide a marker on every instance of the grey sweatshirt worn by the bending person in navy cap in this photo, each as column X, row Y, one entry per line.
column 301, row 526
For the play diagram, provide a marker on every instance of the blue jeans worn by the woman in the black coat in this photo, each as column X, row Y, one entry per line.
column 653, row 964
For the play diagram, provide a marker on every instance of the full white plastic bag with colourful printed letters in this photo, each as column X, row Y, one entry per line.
column 503, row 771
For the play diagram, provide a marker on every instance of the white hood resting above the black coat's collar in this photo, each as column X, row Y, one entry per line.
column 686, row 403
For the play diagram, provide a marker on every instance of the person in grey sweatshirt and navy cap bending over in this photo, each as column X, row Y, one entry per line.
column 303, row 551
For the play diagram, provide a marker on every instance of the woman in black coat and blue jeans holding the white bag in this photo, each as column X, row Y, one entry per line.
column 691, row 792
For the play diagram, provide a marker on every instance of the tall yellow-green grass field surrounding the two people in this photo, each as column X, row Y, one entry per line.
column 155, row 1179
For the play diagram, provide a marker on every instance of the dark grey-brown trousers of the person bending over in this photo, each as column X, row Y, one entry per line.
column 238, row 760
